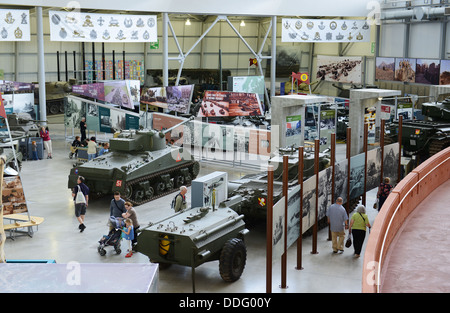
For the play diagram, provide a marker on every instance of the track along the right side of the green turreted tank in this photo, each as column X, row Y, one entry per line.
column 153, row 178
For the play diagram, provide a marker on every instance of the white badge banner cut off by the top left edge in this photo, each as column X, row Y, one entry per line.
column 15, row 25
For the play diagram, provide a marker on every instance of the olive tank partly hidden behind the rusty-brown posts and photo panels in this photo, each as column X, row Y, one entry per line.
column 250, row 192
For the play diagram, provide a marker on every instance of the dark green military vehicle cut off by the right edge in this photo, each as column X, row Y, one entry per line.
column 424, row 138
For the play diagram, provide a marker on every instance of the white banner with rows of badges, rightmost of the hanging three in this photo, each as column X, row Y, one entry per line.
column 318, row 30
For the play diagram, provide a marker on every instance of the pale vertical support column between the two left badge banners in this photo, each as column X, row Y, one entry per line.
column 41, row 65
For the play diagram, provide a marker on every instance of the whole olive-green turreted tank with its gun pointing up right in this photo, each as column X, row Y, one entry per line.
column 140, row 165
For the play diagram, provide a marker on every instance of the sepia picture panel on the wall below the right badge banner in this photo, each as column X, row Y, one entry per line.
column 339, row 69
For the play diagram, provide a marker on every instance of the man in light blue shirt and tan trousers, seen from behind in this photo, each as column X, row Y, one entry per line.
column 337, row 217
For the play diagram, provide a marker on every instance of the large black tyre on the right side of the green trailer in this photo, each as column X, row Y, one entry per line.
column 232, row 260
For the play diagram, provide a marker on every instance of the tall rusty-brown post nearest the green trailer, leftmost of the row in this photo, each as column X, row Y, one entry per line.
column 269, row 221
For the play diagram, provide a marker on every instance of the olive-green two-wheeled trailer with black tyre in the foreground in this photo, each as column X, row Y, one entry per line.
column 195, row 236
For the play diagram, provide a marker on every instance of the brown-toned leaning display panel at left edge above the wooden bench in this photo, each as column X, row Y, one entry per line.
column 13, row 196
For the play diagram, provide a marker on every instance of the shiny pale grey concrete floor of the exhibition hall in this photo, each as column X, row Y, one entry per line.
column 58, row 238
